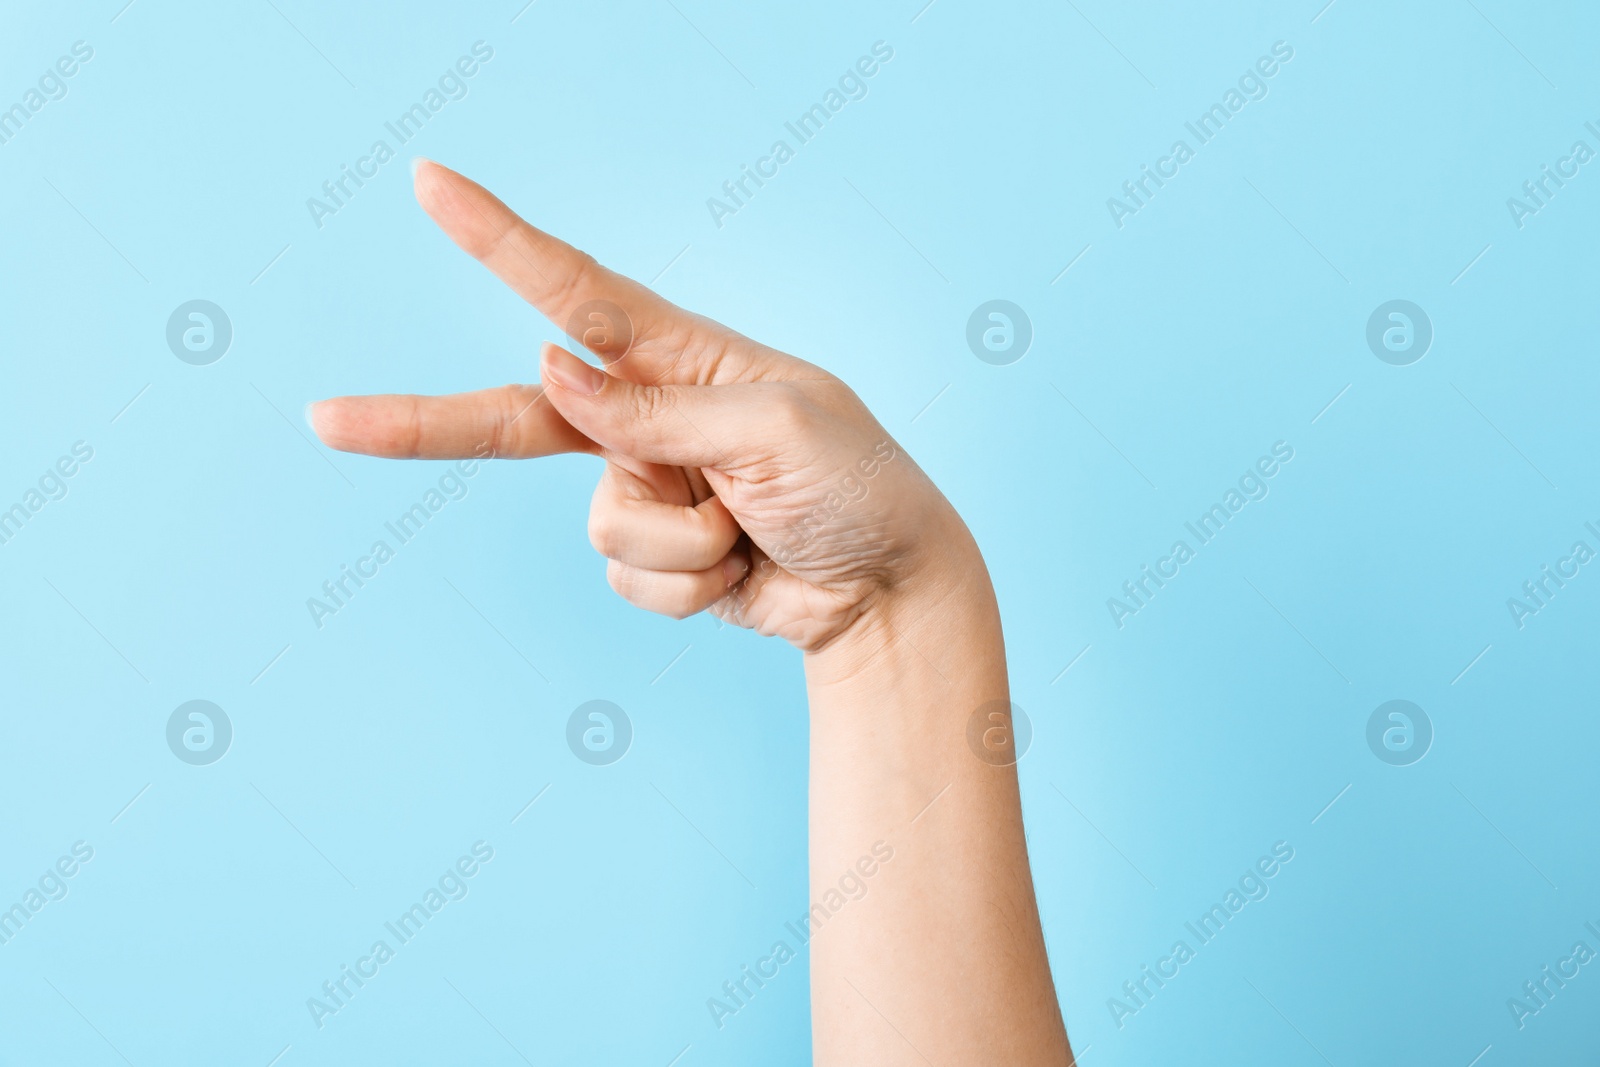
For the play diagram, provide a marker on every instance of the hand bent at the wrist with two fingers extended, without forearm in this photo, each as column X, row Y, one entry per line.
column 738, row 479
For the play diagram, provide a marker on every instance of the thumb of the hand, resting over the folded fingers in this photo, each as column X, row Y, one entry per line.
column 684, row 426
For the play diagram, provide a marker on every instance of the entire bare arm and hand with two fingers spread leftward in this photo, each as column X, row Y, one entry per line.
column 754, row 486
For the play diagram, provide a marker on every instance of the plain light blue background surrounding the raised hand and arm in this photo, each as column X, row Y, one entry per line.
column 1222, row 319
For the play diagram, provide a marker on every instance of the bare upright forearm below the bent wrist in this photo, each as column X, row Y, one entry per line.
column 942, row 959
